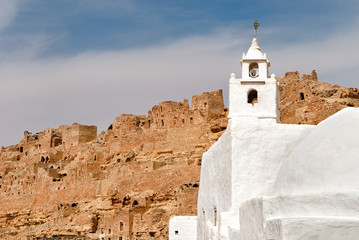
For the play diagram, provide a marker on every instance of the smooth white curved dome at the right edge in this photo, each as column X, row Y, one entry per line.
column 326, row 160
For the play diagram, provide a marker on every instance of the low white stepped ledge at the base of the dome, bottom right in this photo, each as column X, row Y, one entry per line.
column 300, row 217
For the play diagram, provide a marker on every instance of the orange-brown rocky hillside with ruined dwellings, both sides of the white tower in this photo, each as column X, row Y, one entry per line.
column 68, row 183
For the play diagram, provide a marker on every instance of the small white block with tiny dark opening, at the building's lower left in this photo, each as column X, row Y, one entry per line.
column 183, row 228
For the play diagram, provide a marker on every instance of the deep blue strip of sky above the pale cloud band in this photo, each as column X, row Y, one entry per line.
column 72, row 27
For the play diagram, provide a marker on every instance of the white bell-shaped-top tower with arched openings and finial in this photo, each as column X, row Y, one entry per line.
column 255, row 94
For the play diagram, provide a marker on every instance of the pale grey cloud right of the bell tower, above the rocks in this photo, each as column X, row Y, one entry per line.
column 334, row 56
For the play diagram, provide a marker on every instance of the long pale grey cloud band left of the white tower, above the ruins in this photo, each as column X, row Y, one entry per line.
column 95, row 87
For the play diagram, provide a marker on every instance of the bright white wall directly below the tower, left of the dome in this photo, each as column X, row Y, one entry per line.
column 258, row 149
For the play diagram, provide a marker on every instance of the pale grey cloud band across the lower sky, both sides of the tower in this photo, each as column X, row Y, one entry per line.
column 96, row 86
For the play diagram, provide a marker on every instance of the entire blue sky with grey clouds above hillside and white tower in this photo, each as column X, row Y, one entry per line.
column 89, row 61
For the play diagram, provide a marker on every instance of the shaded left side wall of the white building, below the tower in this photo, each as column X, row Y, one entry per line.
column 215, row 185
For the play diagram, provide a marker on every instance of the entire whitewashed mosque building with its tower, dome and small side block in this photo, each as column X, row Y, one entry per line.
column 272, row 181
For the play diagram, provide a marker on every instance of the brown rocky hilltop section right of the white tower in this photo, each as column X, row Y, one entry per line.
column 305, row 100
